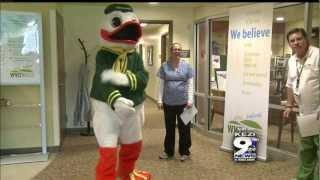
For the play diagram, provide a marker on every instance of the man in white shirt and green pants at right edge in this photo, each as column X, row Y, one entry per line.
column 303, row 88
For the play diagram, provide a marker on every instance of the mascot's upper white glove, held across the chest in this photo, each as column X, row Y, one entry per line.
column 115, row 78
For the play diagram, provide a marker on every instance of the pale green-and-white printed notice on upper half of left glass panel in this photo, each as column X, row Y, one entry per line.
column 21, row 53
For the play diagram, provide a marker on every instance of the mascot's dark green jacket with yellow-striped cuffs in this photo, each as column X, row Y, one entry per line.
column 137, row 76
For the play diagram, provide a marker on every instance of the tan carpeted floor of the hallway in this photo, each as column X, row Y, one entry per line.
column 78, row 158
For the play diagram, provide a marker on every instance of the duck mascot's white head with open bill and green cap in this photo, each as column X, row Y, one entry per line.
column 121, row 28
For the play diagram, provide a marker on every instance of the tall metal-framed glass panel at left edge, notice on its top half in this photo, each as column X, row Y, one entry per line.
column 22, row 104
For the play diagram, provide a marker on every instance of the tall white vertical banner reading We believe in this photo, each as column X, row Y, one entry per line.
column 248, row 72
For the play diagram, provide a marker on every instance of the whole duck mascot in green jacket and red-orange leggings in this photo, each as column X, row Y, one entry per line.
column 117, row 96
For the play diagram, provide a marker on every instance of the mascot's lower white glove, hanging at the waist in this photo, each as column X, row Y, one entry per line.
column 124, row 108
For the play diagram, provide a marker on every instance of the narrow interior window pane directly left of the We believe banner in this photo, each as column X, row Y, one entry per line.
column 218, row 71
